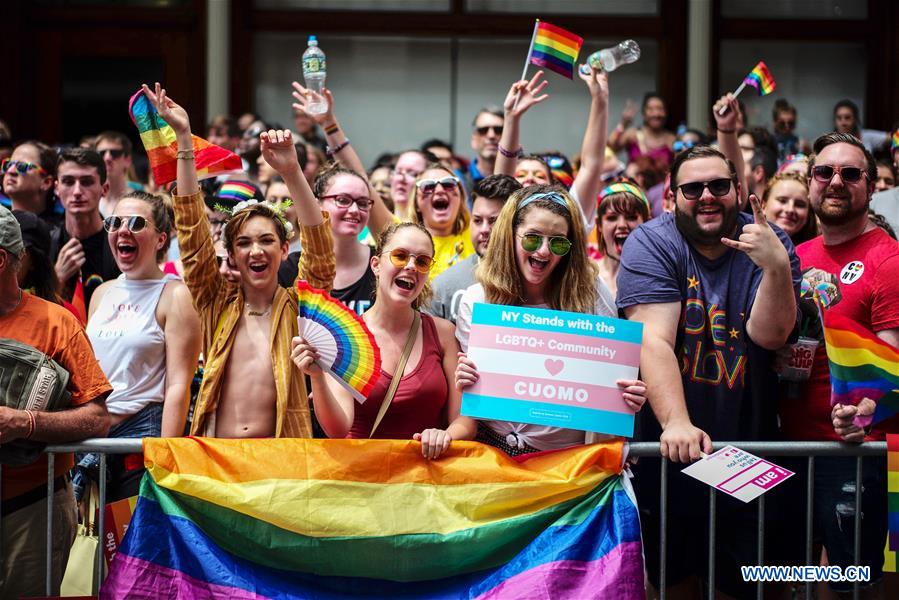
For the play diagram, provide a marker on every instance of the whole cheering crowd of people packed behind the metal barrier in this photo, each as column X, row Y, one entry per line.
column 173, row 308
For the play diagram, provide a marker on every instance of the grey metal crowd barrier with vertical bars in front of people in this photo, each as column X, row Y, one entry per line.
column 810, row 450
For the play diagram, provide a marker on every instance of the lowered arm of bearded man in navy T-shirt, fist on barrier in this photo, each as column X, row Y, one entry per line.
column 680, row 441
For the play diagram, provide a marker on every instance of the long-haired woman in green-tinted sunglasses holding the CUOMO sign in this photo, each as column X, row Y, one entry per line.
column 537, row 257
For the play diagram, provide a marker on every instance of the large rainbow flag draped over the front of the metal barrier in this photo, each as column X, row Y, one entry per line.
column 343, row 518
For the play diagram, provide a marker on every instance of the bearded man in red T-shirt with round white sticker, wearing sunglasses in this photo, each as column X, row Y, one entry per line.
column 864, row 260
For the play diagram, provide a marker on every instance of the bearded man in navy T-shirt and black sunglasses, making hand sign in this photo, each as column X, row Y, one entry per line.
column 716, row 292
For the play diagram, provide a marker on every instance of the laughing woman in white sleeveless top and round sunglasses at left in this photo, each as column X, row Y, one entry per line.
column 145, row 333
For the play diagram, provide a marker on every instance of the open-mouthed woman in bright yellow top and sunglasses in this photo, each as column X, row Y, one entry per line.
column 437, row 202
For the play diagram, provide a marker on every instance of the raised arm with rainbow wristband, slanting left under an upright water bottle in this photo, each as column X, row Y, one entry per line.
column 379, row 216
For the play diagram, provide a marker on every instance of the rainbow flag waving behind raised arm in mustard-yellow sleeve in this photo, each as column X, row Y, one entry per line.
column 159, row 142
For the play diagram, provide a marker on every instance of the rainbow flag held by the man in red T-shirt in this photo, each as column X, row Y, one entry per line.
column 861, row 366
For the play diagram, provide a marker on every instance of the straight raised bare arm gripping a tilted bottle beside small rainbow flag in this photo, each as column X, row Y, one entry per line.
column 593, row 149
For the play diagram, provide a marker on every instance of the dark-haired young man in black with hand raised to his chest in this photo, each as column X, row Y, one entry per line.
column 80, row 248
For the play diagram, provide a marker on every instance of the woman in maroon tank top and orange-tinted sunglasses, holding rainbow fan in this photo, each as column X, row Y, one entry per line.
column 425, row 405
